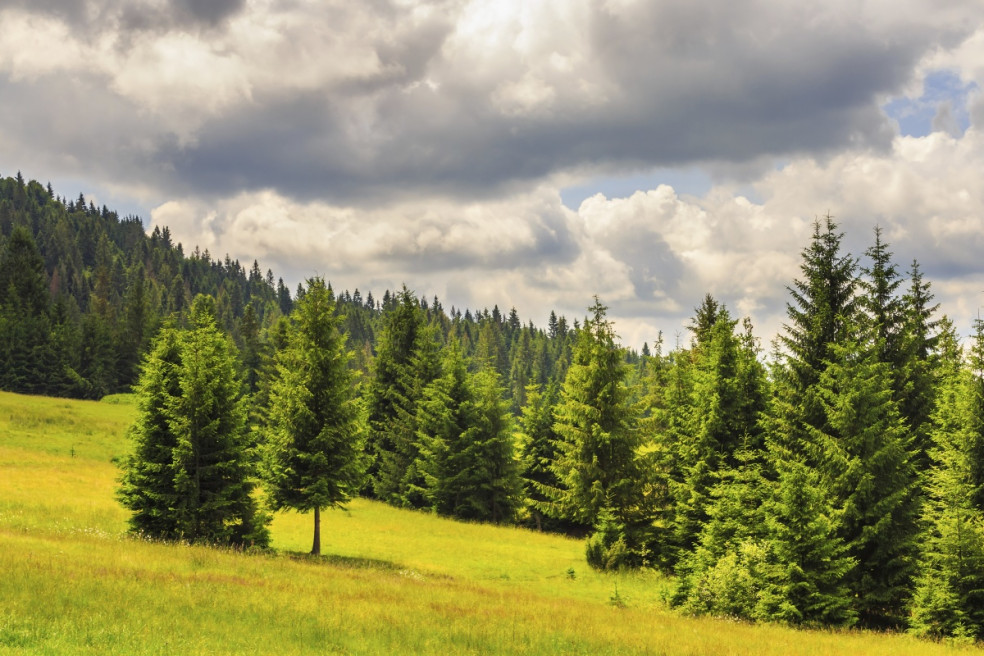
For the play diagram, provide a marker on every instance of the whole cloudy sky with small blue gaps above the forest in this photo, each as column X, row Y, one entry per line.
column 527, row 154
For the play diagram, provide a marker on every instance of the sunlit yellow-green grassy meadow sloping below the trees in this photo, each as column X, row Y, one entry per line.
column 72, row 582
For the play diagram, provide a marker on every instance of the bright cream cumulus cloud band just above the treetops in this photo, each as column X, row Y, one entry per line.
column 650, row 256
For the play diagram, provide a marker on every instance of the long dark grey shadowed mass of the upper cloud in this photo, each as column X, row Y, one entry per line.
column 690, row 83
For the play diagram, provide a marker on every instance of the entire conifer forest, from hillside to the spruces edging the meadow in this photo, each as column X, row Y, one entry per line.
column 839, row 481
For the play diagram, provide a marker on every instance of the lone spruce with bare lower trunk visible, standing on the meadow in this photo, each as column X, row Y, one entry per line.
column 315, row 455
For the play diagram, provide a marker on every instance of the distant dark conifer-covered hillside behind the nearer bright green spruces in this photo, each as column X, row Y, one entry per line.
column 83, row 291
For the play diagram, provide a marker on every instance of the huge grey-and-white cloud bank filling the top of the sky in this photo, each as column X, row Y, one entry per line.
column 368, row 103
